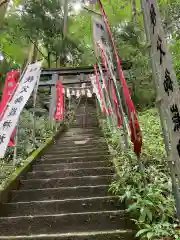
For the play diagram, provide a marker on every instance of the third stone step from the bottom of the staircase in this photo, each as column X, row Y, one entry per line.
column 61, row 206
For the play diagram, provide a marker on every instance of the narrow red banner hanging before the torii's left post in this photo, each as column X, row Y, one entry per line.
column 59, row 113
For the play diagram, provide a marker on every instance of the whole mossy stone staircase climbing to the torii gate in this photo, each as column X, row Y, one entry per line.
column 66, row 195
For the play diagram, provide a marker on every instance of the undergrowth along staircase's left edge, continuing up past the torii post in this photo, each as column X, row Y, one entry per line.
column 26, row 144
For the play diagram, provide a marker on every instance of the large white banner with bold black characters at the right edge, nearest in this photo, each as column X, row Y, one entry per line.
column 166, row 81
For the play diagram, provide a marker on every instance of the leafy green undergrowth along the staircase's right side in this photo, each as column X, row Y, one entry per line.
column 150, row 205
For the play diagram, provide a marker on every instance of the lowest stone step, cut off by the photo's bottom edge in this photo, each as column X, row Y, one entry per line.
column 95, row 235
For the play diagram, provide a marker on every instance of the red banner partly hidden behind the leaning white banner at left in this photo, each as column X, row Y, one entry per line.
column 9, row 87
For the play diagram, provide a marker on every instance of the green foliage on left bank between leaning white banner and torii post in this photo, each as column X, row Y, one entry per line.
column 25, row 142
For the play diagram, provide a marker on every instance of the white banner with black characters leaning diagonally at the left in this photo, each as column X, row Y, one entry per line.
column 17, row 103
